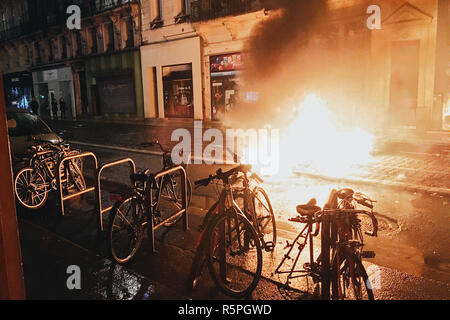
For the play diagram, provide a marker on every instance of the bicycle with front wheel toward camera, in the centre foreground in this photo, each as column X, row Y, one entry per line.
column 228, row 243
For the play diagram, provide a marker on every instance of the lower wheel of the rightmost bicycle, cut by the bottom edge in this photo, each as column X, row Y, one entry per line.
column 352, row 282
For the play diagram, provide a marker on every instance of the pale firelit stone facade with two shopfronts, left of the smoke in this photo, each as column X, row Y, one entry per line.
column 192, row 55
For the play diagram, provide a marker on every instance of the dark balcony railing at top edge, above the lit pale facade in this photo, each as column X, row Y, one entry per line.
column 201, row 10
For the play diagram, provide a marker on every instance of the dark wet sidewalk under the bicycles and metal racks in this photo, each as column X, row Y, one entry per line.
column 50, row 244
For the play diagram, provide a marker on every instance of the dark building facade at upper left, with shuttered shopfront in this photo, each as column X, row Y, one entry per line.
column 79, row 65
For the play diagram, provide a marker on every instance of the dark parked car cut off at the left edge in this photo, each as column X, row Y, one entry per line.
column 22, row 128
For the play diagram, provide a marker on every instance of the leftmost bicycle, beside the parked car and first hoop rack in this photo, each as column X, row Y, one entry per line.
column 33, row 182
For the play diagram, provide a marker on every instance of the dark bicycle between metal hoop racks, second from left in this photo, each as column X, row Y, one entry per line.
column 133, row 209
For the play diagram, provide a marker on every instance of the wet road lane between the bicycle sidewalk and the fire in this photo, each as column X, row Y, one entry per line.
column 414, row 230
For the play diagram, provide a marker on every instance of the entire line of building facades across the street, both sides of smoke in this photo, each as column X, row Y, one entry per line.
column 162, row 59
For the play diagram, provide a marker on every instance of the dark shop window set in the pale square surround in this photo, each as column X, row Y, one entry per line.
column 178, row 93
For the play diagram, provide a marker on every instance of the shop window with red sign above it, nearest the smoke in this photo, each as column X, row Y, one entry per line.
column 224, row 83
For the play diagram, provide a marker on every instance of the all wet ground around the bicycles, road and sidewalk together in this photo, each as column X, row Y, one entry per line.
column 413, row 256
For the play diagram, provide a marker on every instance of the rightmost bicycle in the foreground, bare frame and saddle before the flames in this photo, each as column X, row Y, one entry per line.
column 339, row 262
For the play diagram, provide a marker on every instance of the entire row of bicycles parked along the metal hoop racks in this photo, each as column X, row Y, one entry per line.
column 235, row 231
